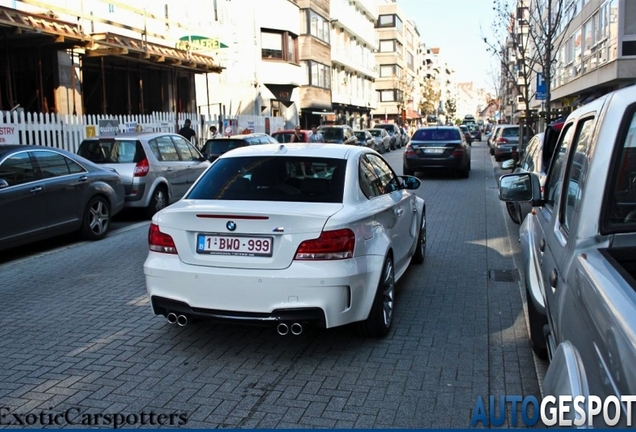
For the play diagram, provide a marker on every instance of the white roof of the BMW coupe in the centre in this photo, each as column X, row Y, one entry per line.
column 335, row 151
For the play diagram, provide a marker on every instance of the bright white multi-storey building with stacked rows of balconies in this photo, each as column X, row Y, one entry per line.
column 353, row 46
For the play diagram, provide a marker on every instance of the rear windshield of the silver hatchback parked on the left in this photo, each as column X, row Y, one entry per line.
column 112, row 151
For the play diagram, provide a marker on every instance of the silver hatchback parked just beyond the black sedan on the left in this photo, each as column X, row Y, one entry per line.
column 156, row 168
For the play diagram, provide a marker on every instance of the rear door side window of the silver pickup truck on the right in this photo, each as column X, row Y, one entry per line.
column 577, row 172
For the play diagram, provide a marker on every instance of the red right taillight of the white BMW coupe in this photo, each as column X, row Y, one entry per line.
column 331, row 245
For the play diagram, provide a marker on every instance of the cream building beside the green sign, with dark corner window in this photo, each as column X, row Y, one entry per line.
column 259, row 44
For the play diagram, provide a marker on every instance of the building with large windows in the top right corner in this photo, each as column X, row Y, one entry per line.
column 597, row 51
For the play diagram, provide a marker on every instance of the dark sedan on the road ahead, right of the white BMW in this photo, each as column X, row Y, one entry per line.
column 437, row 147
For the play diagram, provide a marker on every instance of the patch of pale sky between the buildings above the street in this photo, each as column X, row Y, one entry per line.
column 457, row 27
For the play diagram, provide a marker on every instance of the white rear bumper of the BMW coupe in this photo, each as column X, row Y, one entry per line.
column 342, row 291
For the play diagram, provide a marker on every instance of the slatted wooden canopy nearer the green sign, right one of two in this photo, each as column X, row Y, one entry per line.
column 107, row 44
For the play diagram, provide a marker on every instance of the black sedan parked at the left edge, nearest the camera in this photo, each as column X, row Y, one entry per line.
column 45, row 192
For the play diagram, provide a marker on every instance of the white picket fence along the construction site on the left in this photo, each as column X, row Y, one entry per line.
column 68, row 131
